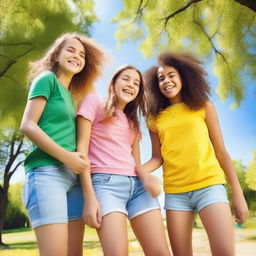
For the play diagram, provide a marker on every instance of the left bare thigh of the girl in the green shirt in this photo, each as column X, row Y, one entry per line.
column 52, row 239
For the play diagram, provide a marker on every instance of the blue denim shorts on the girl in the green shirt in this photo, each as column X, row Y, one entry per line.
column 52, row 194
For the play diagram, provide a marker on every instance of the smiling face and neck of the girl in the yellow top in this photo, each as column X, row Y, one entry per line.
column 170, row 84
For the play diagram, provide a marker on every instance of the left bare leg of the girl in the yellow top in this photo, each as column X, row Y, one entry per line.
column 180, row 224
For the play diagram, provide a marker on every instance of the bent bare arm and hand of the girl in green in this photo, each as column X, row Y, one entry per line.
column 29, row 126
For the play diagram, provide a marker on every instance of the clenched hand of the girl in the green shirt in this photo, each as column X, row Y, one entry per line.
column 77, row 162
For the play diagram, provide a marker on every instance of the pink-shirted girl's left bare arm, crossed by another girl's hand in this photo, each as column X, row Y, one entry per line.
column 91, row 212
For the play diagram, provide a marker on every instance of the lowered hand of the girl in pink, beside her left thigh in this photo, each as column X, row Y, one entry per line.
column 91, row 213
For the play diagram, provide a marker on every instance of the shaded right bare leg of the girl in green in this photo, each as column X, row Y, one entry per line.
column 75, row 238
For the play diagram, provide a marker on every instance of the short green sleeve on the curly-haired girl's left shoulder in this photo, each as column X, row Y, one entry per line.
column 42, row 85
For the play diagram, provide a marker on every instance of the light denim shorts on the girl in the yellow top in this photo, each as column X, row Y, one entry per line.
column 196, row 200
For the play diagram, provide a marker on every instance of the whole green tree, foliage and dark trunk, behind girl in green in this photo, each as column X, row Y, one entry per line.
column 27, row 29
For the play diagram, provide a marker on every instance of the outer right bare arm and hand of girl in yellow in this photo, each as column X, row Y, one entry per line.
column 225, row 161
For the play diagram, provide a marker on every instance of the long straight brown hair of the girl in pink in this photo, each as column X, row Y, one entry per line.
column 134, row 108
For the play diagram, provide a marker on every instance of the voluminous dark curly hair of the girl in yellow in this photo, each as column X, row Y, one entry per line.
column 195, row 89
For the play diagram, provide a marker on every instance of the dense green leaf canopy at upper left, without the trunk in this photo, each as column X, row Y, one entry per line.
column 27, row 30
